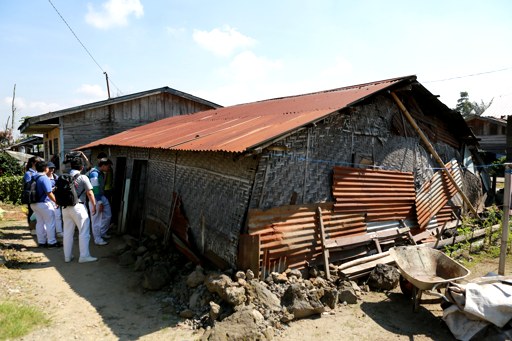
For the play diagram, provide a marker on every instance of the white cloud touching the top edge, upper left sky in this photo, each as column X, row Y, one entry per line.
column 114, row 13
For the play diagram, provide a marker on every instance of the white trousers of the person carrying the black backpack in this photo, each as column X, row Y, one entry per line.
column 76, row 216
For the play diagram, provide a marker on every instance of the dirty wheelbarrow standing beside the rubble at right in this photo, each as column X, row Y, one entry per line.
column 426, row 270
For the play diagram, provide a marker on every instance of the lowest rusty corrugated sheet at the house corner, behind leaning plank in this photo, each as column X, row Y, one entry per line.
column 290, row 236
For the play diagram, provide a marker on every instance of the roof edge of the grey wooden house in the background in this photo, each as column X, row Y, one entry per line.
column 115, row 100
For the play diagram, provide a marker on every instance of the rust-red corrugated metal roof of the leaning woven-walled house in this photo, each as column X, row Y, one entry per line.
column 243, row 127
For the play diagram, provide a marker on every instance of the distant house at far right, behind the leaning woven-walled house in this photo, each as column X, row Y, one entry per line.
column 492, row 135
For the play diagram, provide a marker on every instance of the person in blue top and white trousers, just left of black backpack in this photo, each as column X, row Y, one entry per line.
column 44, row 209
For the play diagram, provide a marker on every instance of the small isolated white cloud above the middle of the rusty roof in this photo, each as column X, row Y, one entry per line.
column 222, row 41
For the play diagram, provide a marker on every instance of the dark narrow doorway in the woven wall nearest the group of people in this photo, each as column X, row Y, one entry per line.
column 135, row 213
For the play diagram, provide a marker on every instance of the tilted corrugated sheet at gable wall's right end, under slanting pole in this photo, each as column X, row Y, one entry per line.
column 435, row 193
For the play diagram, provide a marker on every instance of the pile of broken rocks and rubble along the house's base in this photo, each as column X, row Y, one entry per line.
column 235, row 304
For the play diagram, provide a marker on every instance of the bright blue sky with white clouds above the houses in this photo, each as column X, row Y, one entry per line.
column 55, row 52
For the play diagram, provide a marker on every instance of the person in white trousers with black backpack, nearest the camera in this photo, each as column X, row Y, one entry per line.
column 77, row 216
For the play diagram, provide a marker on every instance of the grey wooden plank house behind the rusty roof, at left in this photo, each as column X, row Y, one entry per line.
column 67, row 129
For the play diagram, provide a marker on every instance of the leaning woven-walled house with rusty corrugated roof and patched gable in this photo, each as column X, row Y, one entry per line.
column 273, row 184
